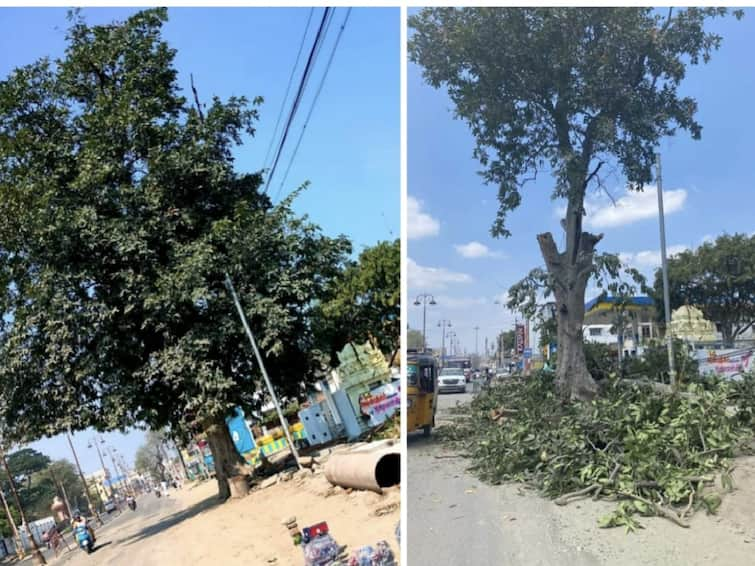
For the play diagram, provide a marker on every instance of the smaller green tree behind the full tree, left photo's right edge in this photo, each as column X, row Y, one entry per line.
column 364, row 302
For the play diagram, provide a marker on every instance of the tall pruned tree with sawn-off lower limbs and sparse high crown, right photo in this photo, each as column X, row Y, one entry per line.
column 573, row 92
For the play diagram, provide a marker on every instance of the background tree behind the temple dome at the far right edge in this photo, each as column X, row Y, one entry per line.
column 717, row 277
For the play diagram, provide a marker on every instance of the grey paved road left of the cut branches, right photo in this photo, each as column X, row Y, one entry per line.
column 455, row 520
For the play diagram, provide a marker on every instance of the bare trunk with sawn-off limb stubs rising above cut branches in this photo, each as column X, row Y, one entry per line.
column 570, row 273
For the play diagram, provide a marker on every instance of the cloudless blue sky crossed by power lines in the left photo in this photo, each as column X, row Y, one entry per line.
column 350, row 152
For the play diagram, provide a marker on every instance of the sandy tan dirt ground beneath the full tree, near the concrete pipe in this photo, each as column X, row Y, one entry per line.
column 191, row 528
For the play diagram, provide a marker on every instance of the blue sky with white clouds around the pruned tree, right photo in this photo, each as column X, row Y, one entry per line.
column 707, row 188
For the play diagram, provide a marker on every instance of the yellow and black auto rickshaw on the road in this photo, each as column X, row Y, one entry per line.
column 421, row 383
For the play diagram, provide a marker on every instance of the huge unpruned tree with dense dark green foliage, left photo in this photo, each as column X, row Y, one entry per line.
column 120, row 213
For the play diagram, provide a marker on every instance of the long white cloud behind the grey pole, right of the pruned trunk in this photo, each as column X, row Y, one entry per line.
column 632, row 207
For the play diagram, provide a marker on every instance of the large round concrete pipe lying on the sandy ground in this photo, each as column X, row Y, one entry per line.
column 371, row 467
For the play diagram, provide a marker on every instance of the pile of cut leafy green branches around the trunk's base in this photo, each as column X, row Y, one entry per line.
column 654, row 453
